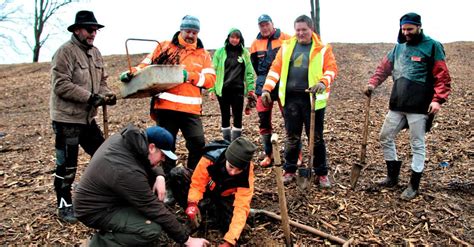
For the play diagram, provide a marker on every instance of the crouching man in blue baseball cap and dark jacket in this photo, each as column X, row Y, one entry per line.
column 116, row 193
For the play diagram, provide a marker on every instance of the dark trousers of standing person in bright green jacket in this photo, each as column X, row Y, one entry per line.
column 231, row 99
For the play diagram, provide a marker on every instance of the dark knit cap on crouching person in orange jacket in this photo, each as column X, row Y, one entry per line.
column 240, row 153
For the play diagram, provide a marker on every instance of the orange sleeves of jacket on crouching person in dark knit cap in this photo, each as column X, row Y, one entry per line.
column 243, row 197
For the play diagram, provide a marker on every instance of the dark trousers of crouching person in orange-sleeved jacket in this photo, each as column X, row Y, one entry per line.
column 214, row 208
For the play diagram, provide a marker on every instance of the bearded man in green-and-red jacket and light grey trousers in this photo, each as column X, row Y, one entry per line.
column 421, row 84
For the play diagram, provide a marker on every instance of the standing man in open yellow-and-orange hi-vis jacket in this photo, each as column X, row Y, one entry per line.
column 303, row 64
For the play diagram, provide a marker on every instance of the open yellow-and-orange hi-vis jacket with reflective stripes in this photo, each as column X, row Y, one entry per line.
column 322, row 68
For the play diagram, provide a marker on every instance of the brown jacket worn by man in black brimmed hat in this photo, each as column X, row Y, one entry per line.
column 77, row 71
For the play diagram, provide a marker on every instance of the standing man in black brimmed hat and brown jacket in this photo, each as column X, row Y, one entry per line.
column 78, row 87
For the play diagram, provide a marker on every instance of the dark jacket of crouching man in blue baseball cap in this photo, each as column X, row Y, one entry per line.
column 120, row 175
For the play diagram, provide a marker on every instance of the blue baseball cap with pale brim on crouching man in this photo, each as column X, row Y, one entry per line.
column 162, row 139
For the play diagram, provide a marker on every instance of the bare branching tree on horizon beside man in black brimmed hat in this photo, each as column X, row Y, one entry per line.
column 44, row 9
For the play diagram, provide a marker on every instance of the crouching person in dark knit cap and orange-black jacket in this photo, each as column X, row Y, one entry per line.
column 221, row 187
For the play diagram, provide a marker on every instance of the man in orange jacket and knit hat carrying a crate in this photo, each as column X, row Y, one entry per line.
column 179, row 108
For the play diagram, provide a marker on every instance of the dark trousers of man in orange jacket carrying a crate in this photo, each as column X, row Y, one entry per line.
column 191, row 128
